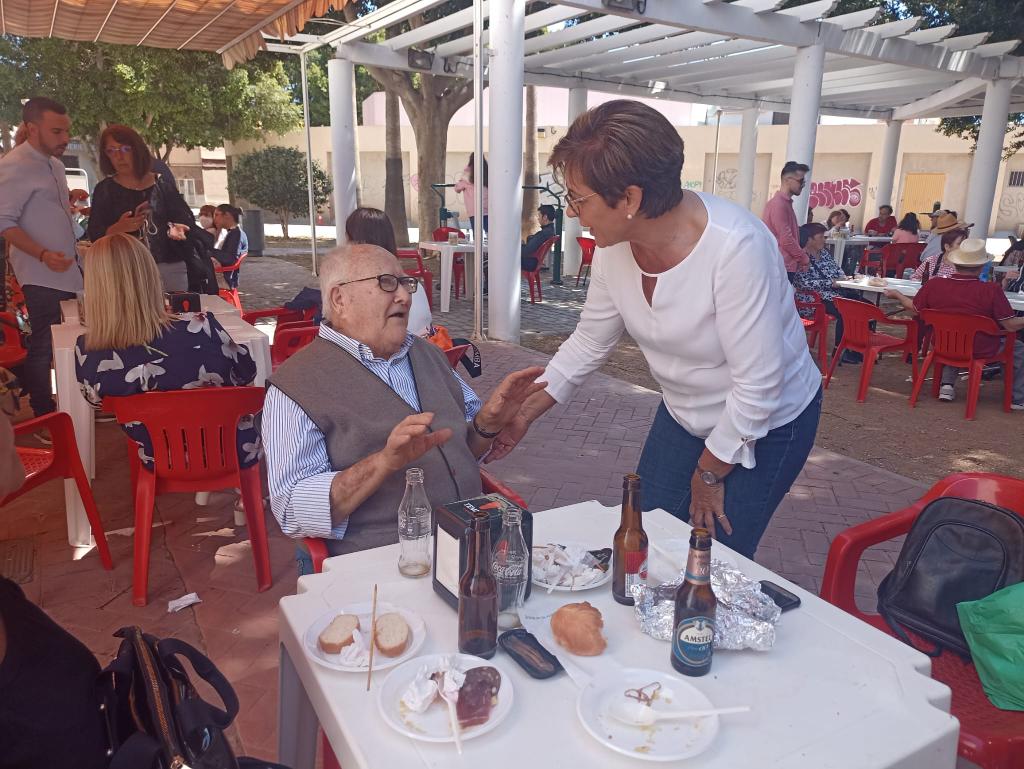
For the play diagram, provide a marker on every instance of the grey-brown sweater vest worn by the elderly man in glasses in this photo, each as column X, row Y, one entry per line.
column 357, row 412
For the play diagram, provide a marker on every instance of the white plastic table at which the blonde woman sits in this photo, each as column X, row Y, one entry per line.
column 70, row 398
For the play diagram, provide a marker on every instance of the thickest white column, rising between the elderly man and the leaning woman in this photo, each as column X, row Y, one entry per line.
column 505, row 183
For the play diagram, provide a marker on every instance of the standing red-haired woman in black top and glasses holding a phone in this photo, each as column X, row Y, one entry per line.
column 137, row 201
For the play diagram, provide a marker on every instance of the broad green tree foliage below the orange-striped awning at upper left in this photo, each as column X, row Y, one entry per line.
column 173, row 99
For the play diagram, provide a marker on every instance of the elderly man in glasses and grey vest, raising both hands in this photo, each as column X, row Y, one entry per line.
column 349, row 414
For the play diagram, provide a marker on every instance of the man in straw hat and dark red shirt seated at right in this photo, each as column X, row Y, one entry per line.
column 964, row 292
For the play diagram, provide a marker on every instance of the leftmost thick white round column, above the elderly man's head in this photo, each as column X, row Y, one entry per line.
column 342, row 92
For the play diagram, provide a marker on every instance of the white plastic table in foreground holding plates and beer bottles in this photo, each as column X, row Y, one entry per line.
column 833, row 693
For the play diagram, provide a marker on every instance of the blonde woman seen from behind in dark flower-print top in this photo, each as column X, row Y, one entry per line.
column 132, row 345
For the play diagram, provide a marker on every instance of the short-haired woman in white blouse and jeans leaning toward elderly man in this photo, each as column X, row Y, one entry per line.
column 699, row 284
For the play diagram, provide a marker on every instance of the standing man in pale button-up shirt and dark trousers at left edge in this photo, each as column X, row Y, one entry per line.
column 35, row 220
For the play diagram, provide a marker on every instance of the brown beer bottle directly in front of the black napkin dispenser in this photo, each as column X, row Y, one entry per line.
column 479, row 595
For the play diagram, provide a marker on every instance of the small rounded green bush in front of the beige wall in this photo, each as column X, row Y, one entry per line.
column 275, row 179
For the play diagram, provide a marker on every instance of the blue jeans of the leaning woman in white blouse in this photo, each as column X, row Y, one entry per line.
column 671, row 455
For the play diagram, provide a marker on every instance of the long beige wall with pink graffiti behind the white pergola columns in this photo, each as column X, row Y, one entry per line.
column 845, row 174
